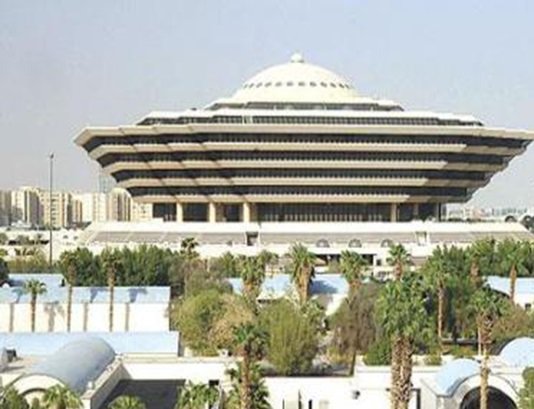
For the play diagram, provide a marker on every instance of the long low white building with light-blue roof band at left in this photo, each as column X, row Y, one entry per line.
column 136, row 309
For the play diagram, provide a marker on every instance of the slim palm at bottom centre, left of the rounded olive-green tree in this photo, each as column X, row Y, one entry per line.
column 250, row 343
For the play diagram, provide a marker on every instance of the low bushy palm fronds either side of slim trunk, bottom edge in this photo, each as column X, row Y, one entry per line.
column 259, row 392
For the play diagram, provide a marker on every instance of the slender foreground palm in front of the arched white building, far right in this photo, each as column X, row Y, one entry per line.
column 488, row 307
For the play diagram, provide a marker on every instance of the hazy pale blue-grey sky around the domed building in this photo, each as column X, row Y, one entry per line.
column 68, row 64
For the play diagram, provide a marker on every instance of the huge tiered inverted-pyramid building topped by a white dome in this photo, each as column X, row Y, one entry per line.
column 297, row 142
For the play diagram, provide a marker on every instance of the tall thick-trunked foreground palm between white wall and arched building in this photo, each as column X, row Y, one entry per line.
column 403, row 318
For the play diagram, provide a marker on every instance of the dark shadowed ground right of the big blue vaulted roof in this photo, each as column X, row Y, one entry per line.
column 155, row 394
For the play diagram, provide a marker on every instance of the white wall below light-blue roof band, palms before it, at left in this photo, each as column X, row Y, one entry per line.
column 88, row 317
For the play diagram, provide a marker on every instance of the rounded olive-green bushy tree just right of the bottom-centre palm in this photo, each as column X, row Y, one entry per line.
column 292, row 340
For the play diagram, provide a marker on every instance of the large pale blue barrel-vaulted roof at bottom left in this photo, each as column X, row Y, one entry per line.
column 77, row 363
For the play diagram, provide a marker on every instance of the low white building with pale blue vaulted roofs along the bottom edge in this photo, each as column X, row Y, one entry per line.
column 98, row 370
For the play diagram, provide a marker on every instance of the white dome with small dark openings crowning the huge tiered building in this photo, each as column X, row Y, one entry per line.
column 296, row 81
